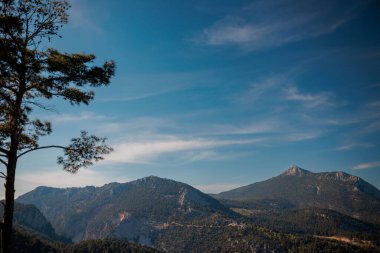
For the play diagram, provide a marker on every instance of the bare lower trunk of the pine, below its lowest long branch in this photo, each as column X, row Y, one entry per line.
column 9, row 204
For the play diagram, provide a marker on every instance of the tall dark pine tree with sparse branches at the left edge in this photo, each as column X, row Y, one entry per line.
column 30, row 74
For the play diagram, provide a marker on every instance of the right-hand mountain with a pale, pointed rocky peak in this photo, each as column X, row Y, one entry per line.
column 299, row 188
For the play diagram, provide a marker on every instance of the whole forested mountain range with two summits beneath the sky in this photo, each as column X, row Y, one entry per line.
column 297, row 210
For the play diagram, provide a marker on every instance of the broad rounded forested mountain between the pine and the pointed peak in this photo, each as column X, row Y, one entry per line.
column 134, row 210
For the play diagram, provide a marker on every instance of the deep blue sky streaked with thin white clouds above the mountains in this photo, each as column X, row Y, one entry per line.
column 219, row 94
